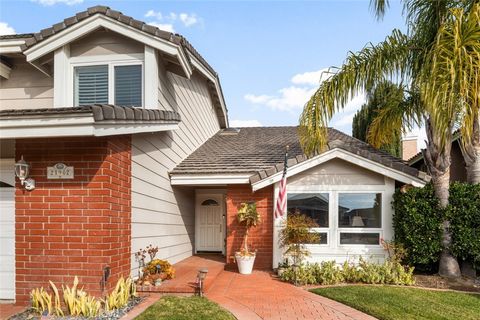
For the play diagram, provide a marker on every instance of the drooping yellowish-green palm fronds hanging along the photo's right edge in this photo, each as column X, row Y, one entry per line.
column 451, row 79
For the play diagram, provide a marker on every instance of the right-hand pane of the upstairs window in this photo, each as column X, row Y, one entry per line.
column 128, row 85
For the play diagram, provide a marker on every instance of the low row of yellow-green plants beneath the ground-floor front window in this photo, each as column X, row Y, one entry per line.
column 329, row 273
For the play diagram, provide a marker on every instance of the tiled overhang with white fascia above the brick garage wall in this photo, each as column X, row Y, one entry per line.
column 97, row 120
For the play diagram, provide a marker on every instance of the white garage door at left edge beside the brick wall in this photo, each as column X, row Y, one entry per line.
column 7, row 230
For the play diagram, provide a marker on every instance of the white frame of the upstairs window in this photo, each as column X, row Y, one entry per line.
column 111, row 61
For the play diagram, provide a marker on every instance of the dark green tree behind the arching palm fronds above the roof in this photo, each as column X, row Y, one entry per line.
column 386, row 95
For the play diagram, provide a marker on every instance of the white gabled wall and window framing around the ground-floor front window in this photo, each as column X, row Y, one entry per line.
column 334, row 177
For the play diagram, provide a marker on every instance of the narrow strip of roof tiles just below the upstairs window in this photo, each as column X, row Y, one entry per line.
column 100, row 112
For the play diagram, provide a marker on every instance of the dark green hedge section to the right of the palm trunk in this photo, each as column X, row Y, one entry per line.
column 464, row 214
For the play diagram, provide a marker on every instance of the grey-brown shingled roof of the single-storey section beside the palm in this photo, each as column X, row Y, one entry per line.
column 260, row 152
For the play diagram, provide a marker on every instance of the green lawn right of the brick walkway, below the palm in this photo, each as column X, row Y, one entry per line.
column 387, row 302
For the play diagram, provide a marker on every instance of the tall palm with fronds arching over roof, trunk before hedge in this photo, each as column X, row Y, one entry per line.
column 441, row 37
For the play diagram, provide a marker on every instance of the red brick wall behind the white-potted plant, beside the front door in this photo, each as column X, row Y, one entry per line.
column 260, row 237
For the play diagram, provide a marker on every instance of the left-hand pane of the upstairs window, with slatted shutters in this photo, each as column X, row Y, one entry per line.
column 91, row 85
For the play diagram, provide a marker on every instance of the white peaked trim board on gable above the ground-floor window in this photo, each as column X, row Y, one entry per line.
column 344, row 155
